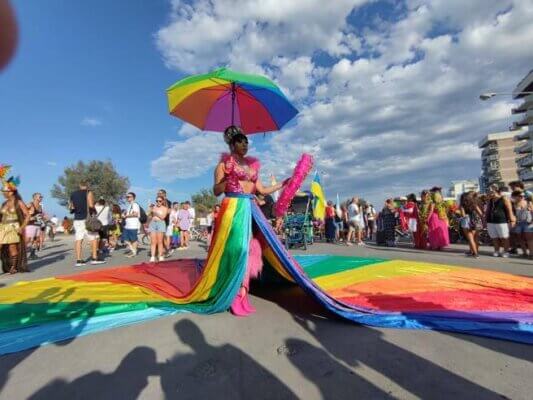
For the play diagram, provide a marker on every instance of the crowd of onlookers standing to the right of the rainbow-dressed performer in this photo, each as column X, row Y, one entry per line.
column 505, row 214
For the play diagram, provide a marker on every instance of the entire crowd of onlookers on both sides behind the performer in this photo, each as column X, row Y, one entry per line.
column 505, row 214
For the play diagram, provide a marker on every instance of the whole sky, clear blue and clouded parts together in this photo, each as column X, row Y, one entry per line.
column 387, row 89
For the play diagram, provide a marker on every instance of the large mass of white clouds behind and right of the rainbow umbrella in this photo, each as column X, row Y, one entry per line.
column 396, row 106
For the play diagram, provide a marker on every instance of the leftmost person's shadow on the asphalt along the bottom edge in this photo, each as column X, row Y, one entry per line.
column 125, row 383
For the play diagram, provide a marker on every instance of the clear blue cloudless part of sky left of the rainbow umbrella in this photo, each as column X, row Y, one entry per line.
column 94, row 62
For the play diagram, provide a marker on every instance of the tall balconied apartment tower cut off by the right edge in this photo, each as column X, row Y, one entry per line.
column 524, row 140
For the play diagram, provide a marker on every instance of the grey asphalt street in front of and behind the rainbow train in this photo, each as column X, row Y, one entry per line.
column 289, row 349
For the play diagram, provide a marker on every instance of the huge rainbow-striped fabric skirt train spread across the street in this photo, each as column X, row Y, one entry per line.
column 375, row 292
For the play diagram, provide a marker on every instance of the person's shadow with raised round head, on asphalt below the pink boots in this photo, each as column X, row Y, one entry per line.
column 217, row 371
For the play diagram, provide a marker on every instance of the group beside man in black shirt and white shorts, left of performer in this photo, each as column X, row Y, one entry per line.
column 166, row 223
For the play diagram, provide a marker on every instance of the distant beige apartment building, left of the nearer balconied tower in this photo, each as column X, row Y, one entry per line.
column 498, row 159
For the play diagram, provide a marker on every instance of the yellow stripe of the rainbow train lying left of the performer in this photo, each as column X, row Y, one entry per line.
column 53, row 290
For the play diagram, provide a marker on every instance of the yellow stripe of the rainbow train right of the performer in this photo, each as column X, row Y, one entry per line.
column 385, row 270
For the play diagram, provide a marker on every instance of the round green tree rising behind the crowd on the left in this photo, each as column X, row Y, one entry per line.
column 101, row 177
